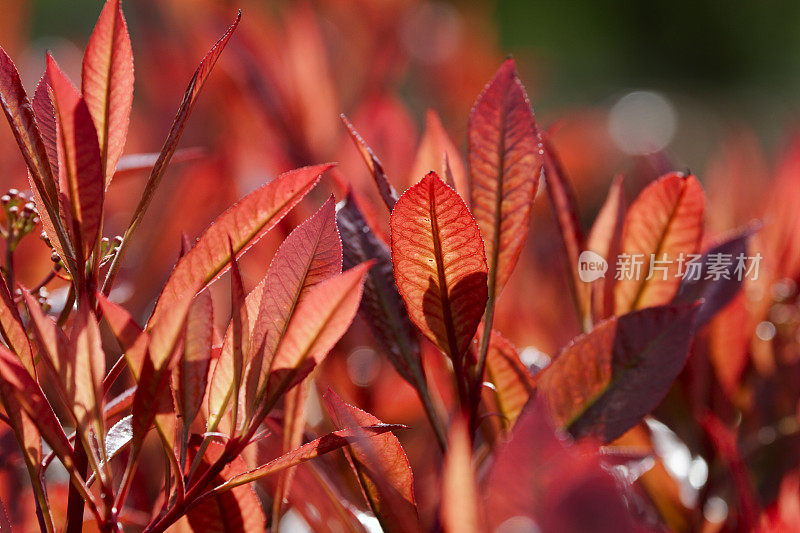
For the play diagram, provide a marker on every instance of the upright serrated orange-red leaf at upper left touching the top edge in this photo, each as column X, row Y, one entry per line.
column 107, row 83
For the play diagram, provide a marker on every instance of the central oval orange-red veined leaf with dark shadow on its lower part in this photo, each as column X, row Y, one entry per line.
column 439, row 264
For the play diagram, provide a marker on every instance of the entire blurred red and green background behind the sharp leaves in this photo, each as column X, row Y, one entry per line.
column 632, row 88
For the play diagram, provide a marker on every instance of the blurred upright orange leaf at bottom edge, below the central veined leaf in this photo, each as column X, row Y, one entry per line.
column 460, row 501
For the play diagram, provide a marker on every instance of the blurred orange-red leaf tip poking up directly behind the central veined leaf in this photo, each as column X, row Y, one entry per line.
column 436, row 152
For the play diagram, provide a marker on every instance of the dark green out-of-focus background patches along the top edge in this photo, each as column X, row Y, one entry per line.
column 715, row 63
